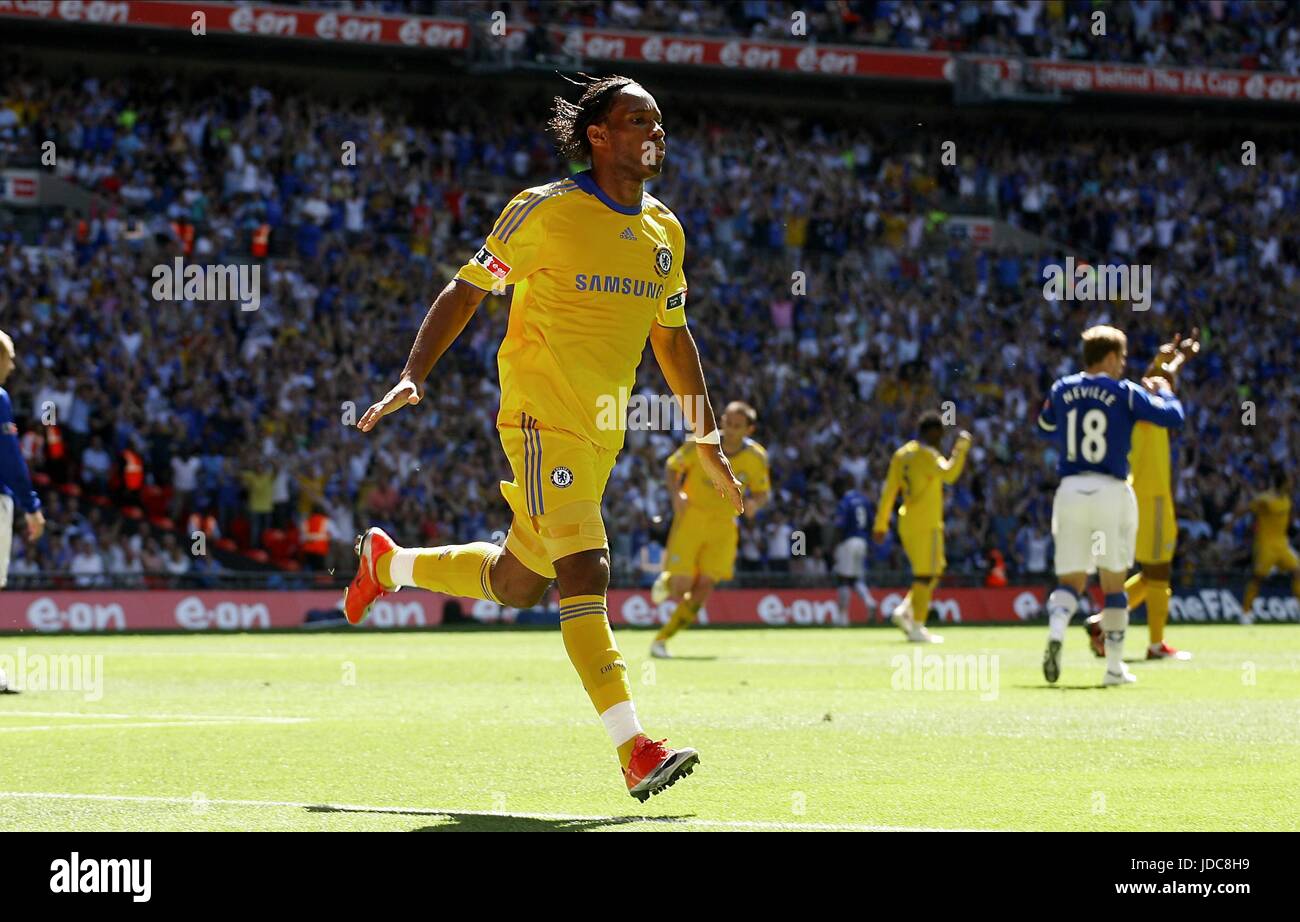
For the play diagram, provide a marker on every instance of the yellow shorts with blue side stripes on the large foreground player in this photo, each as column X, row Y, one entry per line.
column 556, row 496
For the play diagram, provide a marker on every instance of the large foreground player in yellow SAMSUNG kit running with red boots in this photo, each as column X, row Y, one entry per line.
column 597, row 270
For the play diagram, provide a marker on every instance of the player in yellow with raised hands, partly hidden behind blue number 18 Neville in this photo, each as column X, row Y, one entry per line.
column 1150, row 461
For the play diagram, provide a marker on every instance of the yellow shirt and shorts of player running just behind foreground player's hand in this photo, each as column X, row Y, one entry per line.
column 705, row 535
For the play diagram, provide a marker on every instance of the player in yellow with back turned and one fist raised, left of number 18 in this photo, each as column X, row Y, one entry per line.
column 921, row 471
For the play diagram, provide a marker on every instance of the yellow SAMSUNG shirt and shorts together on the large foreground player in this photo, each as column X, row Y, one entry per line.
column 590, row 278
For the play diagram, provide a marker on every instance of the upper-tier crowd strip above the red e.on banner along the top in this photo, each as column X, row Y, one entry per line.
column 1232, row 34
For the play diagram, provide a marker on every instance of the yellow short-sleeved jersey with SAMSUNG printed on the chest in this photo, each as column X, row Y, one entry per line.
column 591, row 276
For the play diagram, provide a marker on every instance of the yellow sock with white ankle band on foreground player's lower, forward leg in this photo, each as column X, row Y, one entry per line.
column 590, row 642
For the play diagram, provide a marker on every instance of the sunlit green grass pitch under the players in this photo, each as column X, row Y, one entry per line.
column 798, row 729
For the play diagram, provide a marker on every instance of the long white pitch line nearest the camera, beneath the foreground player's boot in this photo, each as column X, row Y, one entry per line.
column 436, row 812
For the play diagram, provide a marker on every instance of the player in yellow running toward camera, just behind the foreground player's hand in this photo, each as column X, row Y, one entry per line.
column 705, row 535
